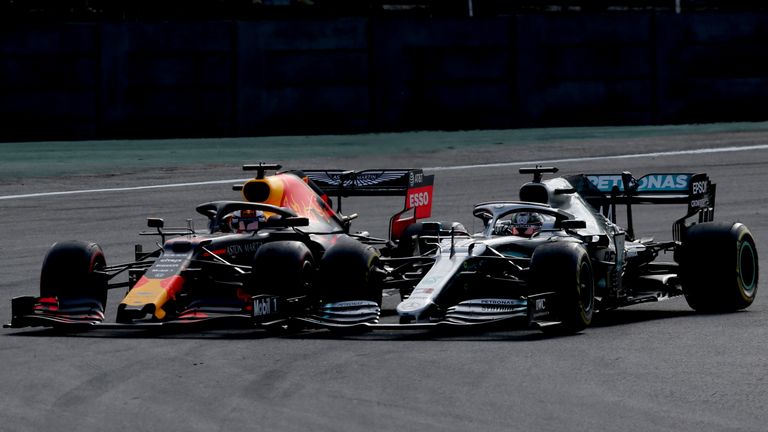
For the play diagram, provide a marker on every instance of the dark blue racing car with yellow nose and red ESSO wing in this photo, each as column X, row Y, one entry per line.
column 263, row 260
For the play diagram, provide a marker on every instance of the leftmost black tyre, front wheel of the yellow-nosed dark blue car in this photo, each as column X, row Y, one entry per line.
column 70, row 272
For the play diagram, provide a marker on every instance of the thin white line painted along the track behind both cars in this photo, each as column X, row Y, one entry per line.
column 439, row 168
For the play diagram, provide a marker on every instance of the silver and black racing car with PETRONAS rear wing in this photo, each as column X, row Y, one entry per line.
column 553, row 258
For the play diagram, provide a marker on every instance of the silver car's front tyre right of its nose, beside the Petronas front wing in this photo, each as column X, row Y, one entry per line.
column 565, row 267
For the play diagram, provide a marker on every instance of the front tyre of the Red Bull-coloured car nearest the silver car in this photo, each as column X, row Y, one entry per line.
column 284, row 268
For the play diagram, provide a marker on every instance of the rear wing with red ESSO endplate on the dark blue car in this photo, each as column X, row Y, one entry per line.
column 412, row 184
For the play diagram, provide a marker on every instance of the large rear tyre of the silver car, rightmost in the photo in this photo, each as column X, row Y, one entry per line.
column 718, row 267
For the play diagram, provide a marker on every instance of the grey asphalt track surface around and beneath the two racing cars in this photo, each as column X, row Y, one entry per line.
column 654, row 367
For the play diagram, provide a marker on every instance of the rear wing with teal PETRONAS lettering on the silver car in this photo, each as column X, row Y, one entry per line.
column 605, row 191
